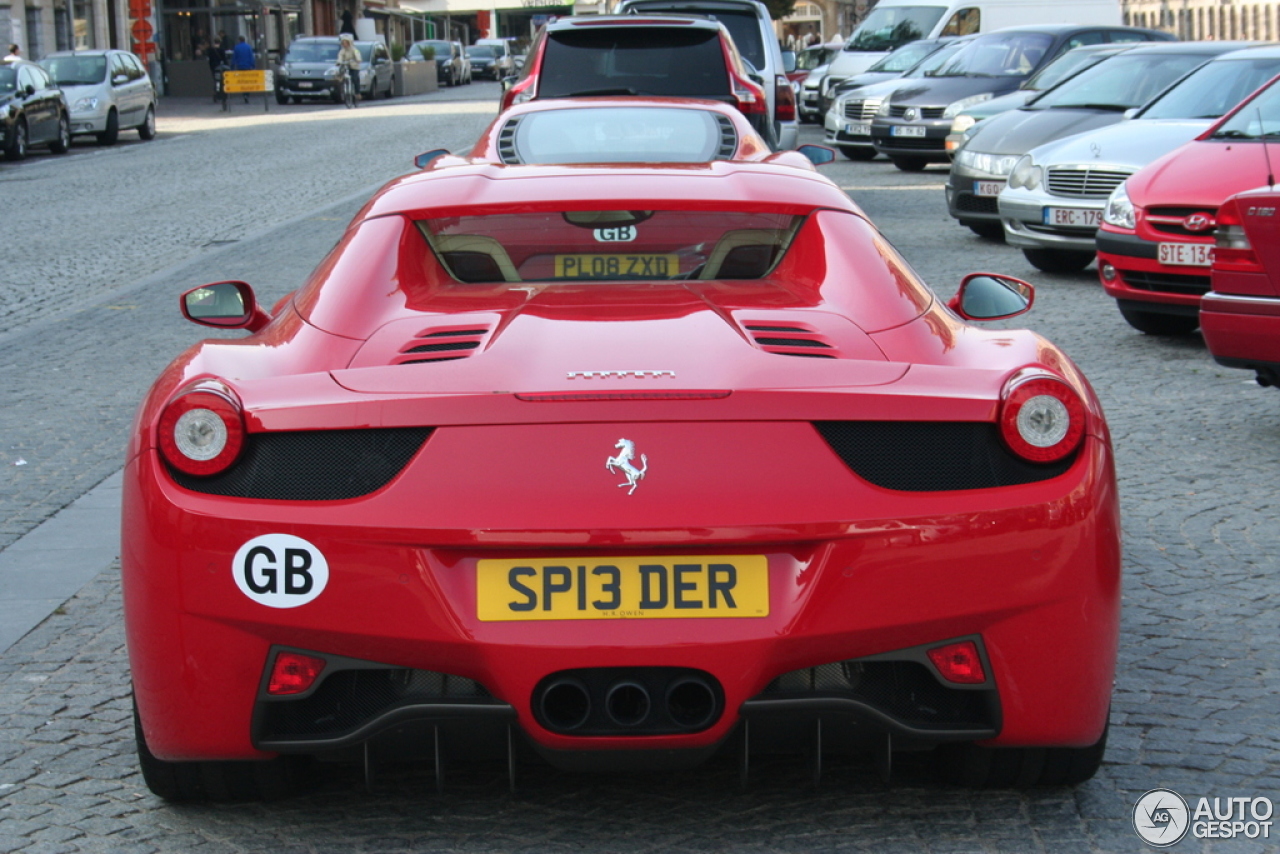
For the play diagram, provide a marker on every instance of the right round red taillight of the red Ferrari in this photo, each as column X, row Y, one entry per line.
column 1043, row 421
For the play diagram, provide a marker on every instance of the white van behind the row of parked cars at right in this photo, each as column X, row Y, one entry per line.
column 897, row 22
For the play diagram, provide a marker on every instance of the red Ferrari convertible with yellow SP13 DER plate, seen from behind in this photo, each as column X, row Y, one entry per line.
column 618, row 465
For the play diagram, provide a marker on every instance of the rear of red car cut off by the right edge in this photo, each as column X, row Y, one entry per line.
column 1241, row 317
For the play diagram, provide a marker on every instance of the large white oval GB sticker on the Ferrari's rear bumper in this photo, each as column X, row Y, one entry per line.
column 281, row 570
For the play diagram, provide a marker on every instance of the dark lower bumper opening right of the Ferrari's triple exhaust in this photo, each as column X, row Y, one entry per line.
column 906, row 691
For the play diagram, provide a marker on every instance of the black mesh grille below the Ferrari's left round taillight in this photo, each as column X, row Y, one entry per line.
column 313, row 465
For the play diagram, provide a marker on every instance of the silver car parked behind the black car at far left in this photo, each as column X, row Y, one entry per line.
column 108, row 92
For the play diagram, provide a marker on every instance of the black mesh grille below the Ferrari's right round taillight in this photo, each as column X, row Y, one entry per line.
column 932, row 456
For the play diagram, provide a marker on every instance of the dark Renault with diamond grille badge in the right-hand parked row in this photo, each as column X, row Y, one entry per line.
column 912, row 126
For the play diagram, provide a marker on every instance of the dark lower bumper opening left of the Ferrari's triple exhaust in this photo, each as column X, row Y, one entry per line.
column 349, row 698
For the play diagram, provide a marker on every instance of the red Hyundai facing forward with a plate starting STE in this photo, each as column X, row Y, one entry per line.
column 1156, row 241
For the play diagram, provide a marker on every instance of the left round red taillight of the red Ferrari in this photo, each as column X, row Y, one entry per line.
column 202, row 433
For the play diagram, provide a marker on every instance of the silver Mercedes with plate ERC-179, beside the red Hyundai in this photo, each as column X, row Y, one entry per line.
column 1053, row 204
